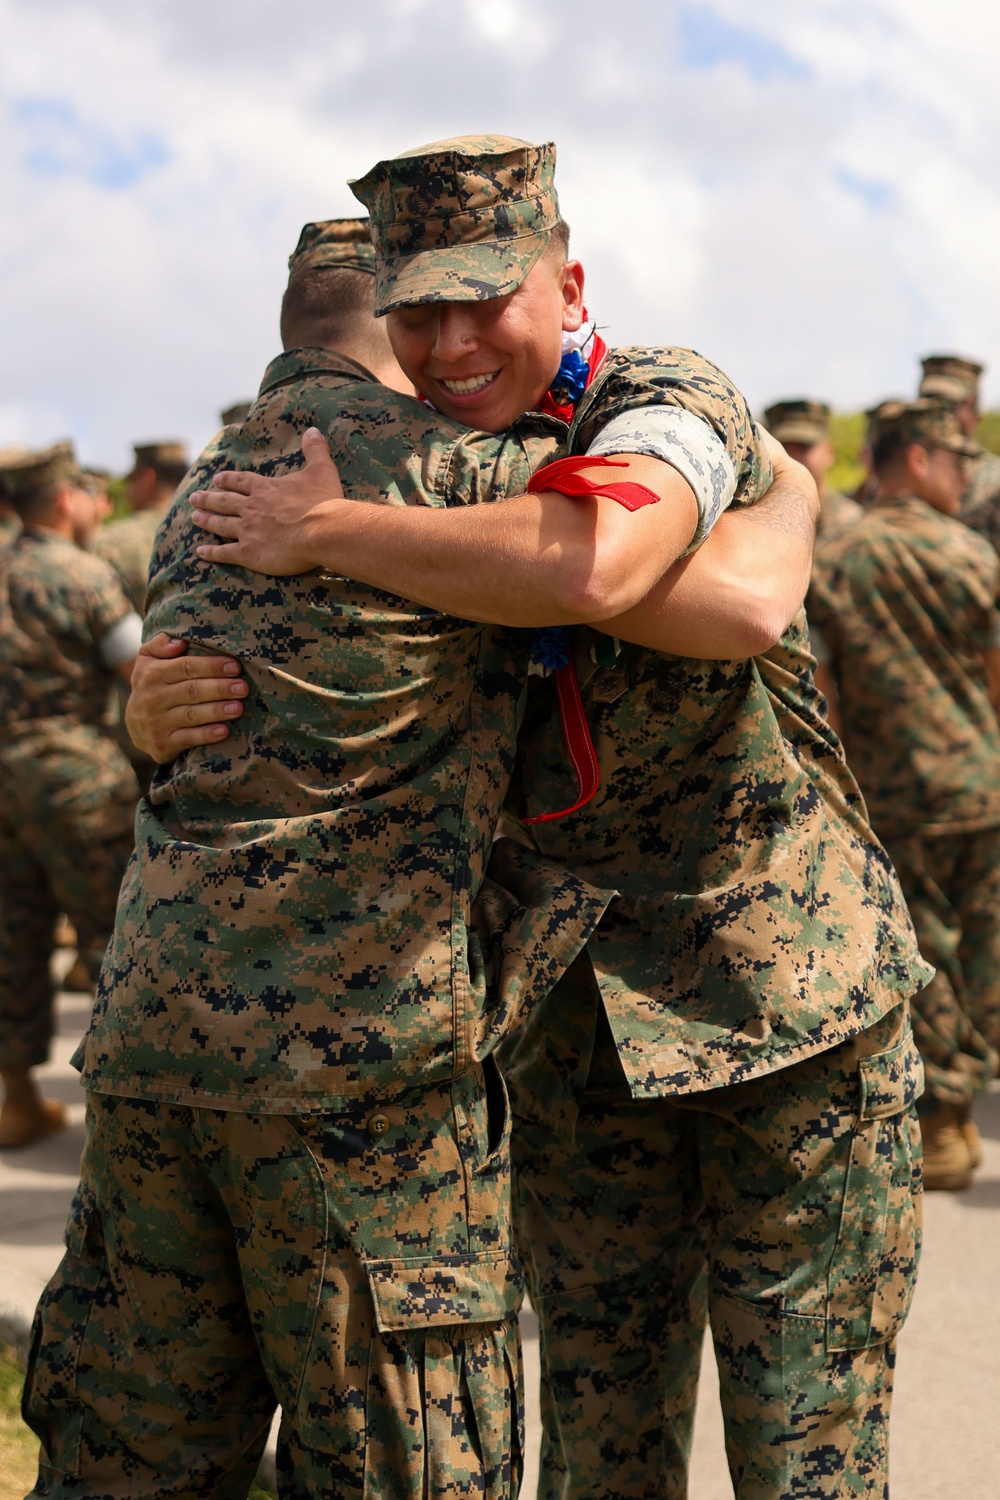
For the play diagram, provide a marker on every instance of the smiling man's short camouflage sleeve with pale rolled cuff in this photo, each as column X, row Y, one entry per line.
column 635, row 380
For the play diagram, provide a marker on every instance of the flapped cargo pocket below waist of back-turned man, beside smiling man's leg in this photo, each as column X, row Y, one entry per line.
column 446, row 1391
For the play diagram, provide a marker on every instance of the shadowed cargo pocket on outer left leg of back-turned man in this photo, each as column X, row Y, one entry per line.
column 52, row 1406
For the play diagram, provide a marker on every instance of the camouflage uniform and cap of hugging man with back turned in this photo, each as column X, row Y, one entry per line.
column 296, row 1187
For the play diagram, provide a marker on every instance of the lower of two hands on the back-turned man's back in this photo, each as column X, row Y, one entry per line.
column 181, row 700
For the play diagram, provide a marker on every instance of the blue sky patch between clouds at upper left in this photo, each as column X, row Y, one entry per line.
column 59, row 143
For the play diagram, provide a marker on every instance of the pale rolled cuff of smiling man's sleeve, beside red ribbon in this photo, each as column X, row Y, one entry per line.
column 687, row 445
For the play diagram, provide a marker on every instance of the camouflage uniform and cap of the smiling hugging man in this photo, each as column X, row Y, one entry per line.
column 737, row 1031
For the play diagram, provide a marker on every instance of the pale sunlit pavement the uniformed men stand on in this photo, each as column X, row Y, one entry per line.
column 947, row 1432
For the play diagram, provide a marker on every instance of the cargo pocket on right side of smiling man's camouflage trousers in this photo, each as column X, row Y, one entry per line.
column 873, row 1271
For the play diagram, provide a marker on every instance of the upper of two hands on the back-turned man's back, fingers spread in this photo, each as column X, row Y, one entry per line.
column 269, row 524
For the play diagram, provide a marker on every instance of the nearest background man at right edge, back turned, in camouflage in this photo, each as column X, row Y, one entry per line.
column 908, row 610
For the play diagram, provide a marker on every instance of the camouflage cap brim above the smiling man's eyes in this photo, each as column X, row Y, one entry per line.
column 457, row 274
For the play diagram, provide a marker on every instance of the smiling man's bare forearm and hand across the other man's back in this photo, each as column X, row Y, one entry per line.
column 536, row 560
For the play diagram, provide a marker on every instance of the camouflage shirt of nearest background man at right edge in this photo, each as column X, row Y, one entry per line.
column 908, row 605
